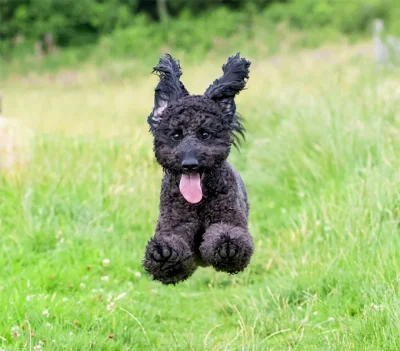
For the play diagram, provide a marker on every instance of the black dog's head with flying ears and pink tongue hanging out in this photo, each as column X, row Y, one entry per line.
column 193, row 134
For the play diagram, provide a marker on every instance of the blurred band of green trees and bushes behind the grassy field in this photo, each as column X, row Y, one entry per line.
column 139, row 27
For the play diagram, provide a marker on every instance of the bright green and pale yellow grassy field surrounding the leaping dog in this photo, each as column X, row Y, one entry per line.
column 321, row 164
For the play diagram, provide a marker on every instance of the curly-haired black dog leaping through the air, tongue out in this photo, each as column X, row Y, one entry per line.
column 204, row 209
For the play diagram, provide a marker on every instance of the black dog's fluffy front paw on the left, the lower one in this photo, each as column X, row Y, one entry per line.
column 169, row 259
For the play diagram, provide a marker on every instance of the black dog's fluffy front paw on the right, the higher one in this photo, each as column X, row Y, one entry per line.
column 227, row 248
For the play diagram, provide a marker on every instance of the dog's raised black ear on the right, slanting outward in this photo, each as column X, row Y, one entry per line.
column 223, row 90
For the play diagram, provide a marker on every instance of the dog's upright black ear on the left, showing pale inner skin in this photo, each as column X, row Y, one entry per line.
column 168, row 90
